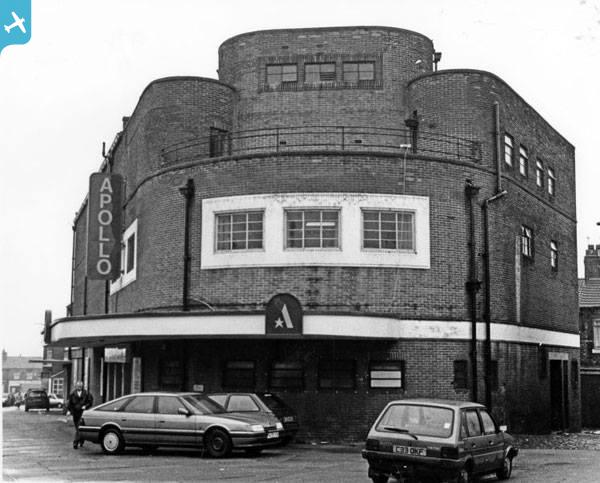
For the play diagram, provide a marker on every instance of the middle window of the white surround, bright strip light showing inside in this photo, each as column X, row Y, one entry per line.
column 312, row 229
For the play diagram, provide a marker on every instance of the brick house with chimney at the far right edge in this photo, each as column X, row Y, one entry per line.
column 589, row 326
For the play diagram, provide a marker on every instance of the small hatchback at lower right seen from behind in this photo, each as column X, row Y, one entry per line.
column 428, row 438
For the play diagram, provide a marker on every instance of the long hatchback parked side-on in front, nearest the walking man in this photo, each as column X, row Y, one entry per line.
column 154, row 419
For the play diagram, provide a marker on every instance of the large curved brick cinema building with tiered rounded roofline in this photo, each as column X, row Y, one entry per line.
column 337, row 221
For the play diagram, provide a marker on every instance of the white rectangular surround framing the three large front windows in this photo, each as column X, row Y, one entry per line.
column 322, row 232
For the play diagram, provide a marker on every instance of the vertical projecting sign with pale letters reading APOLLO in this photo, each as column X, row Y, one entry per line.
column 104, row 227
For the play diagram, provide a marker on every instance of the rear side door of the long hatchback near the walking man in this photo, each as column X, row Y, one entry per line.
column 137, row 420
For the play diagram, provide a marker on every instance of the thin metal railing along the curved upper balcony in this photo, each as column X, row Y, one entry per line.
column 324, row 138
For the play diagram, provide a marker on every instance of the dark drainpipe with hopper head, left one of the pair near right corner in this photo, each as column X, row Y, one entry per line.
column 473, row 284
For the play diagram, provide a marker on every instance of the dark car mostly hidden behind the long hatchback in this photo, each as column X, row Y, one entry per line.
column 265, row 402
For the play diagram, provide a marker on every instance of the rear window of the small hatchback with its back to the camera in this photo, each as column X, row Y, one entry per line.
column 417, row 420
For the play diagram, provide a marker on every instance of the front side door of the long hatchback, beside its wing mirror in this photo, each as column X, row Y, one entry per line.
column 172, row 427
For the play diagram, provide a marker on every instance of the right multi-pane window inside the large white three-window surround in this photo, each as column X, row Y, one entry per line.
column 391, row 230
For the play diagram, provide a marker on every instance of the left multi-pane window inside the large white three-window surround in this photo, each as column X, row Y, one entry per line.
column 239, row 231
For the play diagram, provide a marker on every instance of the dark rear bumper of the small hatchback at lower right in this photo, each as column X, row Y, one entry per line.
column 388, row 463
